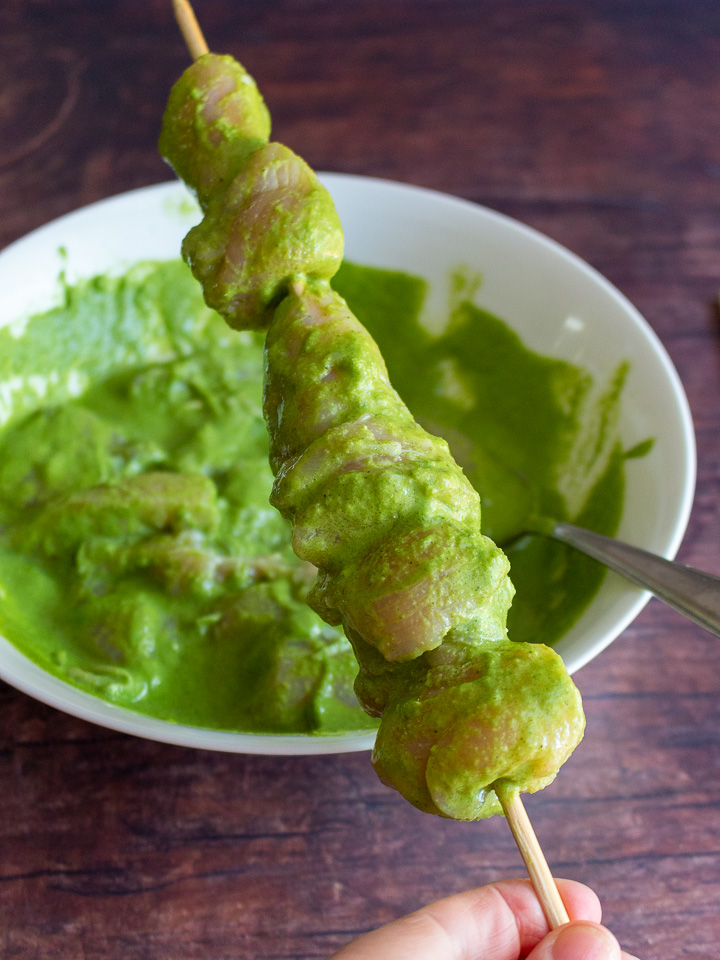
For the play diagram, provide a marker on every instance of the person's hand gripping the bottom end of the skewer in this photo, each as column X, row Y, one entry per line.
column 501, row 921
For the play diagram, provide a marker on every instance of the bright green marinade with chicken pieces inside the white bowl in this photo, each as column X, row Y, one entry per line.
column 139, row 557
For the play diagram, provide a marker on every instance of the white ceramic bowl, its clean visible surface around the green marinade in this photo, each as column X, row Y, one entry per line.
column 532, row 282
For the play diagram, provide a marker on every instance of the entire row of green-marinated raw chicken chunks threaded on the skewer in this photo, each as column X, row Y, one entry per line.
column 377, row 504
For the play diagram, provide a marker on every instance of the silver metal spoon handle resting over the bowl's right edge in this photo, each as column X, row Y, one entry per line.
column 693, row 593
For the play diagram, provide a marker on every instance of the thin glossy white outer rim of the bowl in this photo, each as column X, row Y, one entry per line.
column 23, row 673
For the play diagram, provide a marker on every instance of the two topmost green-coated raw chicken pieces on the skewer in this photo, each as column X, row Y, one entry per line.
column 267, row 218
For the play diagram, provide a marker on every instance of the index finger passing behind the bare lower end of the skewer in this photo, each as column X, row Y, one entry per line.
column 500, row 921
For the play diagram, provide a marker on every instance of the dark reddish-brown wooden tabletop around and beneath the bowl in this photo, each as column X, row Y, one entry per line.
column 599, row 124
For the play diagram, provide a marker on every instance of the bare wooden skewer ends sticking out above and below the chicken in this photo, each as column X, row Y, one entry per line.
column 530, row 849
